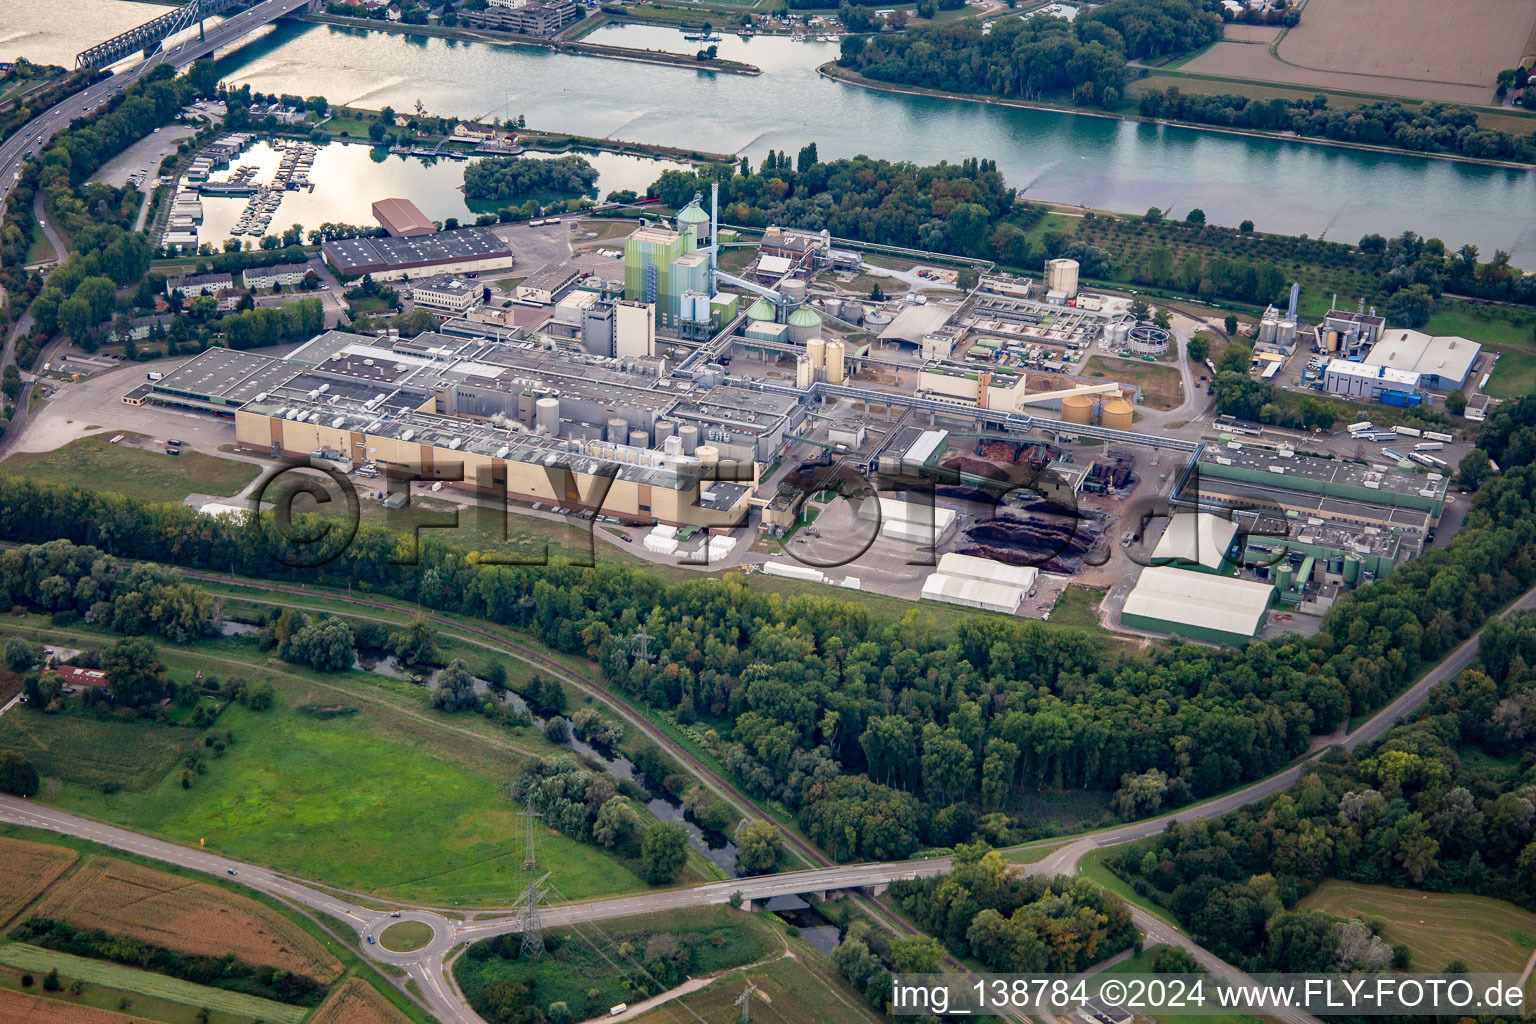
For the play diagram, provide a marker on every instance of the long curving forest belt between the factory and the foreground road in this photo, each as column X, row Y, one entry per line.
column 887, row 736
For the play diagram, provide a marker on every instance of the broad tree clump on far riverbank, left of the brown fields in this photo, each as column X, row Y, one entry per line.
column 1041, row 56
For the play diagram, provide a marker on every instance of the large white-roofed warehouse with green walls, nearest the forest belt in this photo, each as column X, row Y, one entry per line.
column 1197, row 606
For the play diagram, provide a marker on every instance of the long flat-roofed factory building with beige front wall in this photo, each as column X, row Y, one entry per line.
column 560, row 428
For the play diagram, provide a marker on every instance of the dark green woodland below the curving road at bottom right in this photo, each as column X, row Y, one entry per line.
column 1445, row 804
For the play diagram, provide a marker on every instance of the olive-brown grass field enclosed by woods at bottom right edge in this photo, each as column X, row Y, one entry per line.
column 1489, row 936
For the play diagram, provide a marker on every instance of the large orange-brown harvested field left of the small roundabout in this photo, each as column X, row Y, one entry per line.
column 185, row 916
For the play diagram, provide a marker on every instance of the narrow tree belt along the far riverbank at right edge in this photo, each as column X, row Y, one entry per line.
column 1432, row 128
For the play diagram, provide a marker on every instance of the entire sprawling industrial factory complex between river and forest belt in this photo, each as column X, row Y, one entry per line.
column 944, row 446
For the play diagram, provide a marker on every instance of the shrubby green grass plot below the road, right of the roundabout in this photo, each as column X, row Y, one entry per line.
column 580, row 969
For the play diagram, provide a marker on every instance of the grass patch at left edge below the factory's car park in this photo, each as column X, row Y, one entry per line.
column 144, row 474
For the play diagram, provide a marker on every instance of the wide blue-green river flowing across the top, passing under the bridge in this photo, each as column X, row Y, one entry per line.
column 1093, row 162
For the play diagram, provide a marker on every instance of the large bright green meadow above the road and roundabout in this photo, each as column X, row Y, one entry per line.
column 396, row 801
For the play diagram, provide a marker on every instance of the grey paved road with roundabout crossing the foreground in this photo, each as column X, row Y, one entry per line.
column 429, row 966
